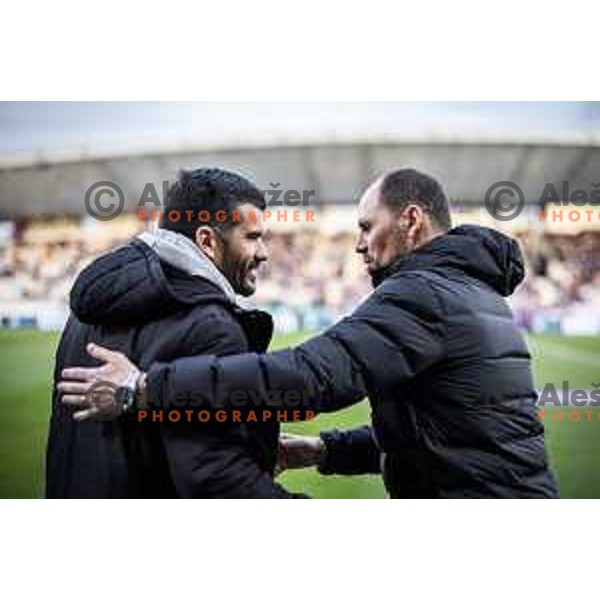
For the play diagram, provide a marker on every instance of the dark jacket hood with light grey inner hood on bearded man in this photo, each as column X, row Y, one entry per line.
column 151, row 276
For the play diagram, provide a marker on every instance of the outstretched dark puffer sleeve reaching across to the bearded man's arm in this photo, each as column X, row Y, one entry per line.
column 392, row 336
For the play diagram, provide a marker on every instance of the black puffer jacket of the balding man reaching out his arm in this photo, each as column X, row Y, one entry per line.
column 447, row 373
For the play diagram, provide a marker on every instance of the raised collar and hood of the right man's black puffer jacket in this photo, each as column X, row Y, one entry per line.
column 483, row 253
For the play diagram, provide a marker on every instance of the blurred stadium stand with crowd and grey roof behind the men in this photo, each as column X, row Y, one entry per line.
column 313, row 276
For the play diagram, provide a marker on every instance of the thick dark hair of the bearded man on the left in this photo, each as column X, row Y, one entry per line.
column 211, row 190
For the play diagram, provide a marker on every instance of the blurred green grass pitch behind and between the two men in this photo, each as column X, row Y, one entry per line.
column 26, row 362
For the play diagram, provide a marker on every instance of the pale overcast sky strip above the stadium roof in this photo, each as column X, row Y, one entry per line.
column 122, row 125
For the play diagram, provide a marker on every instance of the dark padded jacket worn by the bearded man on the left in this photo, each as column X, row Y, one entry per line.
column 130, row 300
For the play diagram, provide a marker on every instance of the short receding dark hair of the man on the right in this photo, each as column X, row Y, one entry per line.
column 404, row 186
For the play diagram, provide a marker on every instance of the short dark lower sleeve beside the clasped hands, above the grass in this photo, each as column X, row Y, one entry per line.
column 351, row 452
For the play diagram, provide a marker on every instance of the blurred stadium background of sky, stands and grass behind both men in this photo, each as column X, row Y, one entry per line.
column 51, row 153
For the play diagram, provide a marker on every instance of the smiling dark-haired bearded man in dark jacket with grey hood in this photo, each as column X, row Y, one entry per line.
column 164, row 296
